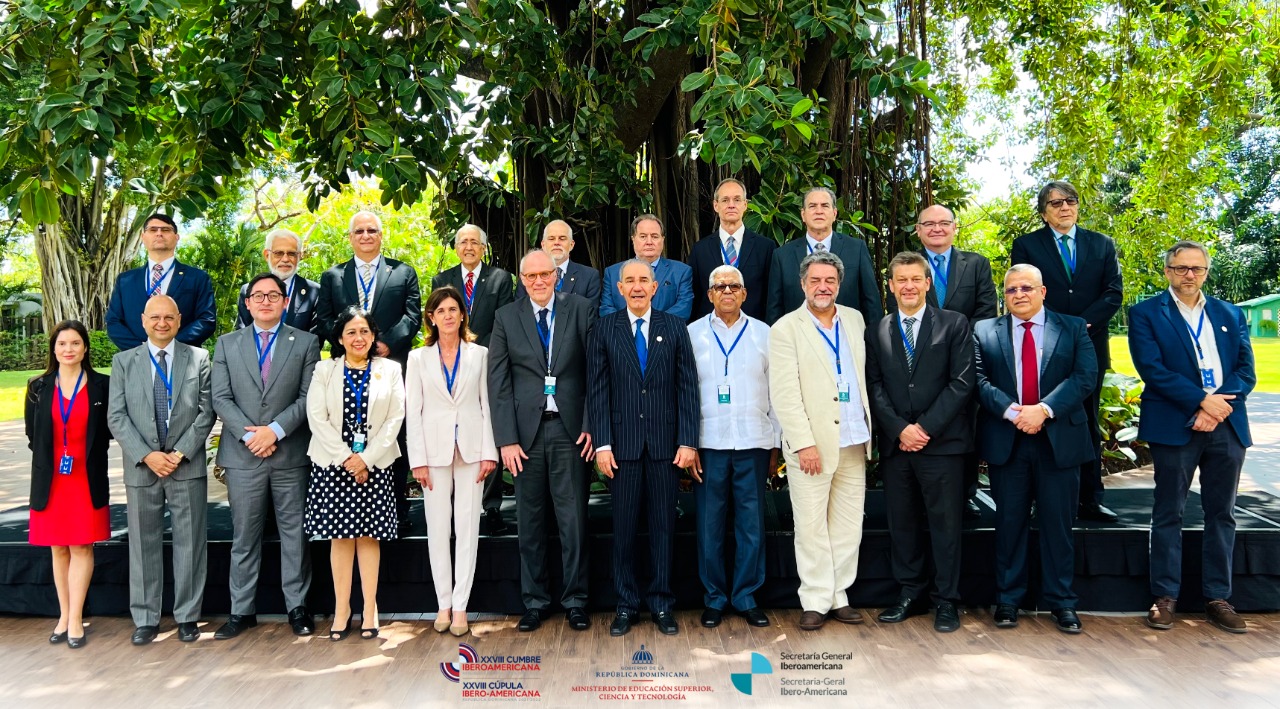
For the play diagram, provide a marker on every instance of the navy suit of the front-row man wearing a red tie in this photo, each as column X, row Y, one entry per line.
column 1045, row 466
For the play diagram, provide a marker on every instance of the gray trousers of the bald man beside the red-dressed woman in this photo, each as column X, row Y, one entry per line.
column 186, row 501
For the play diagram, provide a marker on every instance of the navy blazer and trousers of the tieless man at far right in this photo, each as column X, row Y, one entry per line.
column 1160, row 342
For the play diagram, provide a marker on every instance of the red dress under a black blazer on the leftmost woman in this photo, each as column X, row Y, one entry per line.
column 70, row 519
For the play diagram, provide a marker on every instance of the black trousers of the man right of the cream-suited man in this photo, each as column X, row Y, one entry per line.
column 922, row 490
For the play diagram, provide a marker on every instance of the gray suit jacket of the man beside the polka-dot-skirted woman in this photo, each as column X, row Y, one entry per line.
column 241, row 400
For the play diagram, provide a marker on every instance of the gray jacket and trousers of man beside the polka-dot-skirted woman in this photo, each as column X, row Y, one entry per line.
column 282, row 478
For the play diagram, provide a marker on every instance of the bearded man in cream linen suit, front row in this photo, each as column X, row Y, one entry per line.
column 817, row 356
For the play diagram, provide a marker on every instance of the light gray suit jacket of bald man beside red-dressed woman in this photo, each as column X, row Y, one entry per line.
column 131, row 413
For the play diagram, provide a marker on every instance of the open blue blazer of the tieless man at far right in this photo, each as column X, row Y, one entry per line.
column 1167, row 363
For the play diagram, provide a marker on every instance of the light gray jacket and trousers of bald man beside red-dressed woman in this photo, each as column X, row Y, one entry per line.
column 131, row 418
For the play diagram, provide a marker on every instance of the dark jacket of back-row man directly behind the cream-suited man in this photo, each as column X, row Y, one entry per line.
column 861, row 290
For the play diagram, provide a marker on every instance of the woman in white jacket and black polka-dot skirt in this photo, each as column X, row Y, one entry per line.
column 355, row 409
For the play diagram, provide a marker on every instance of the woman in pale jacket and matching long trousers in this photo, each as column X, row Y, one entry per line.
column 451, row 449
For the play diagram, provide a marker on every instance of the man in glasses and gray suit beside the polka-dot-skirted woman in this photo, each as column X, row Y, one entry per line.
column 260, row 382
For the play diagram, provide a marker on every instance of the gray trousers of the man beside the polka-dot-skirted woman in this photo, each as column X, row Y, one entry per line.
column 249, row 493
